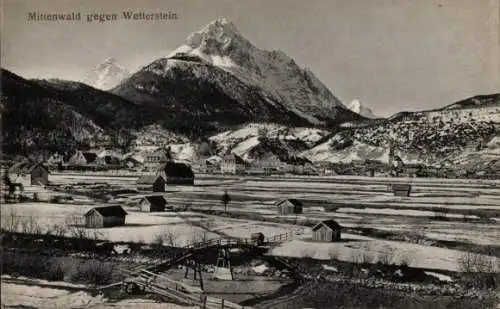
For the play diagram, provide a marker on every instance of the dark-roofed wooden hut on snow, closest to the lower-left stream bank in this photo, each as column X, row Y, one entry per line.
column 106, row 216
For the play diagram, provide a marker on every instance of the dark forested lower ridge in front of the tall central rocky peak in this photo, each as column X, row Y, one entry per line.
column 197, row 92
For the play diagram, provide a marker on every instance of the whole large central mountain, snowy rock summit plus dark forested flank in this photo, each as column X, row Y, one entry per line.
column 218, row 76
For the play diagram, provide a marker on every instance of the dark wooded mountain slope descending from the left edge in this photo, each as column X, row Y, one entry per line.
column 35, row 118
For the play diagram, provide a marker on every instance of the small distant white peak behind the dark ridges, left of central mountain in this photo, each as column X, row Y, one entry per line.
column 107, row 74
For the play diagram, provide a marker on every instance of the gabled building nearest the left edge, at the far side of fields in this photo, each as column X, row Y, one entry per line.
column 29, row 173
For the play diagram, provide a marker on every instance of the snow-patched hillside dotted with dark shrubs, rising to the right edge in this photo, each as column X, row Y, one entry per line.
column 452, row 133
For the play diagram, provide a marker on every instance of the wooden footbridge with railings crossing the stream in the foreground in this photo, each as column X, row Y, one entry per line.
column 147, row 280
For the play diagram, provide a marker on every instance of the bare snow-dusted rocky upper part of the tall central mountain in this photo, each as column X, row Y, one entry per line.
column 274, row 73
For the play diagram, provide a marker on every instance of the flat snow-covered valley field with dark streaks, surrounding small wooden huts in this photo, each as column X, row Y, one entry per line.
column 446, row 210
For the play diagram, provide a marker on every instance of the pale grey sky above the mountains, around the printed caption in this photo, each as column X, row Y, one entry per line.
column 392, row 55
